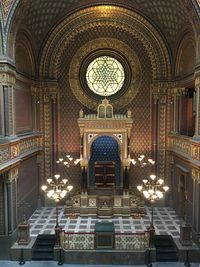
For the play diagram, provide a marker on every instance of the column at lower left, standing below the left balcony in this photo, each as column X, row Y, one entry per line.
column 12, row 199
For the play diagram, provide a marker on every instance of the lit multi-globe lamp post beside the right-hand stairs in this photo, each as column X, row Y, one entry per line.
column 153, row 189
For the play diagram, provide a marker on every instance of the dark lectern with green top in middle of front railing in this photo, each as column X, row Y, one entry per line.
column 104, row 235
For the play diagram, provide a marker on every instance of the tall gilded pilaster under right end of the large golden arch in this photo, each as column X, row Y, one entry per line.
column 159, row 91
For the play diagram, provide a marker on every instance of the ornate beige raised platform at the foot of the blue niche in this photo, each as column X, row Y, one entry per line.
column 105, row 205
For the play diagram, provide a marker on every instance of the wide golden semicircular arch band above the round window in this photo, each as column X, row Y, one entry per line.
column 118, row 18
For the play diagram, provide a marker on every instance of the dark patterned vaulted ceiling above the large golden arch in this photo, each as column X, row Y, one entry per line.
column 41, row 16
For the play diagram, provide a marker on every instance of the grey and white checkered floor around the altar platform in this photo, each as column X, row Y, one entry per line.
column 165, row 221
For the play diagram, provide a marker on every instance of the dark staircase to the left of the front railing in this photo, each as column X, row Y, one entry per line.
column 43, row 247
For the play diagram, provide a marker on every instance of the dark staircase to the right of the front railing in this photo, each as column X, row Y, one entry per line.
column 166, row 249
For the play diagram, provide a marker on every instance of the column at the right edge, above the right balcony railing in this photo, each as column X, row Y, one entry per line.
column 197, row 119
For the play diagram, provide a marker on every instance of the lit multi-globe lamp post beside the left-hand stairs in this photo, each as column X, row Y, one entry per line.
column 56, row 189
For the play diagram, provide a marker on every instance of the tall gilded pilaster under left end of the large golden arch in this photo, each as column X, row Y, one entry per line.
column 50, row 127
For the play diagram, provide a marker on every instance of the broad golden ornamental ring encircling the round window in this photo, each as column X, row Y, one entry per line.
column 112, row 44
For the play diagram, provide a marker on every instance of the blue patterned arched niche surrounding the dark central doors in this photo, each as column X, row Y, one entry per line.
column 105, row 148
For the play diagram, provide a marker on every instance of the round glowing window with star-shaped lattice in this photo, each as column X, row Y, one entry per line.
column 105, row 76
